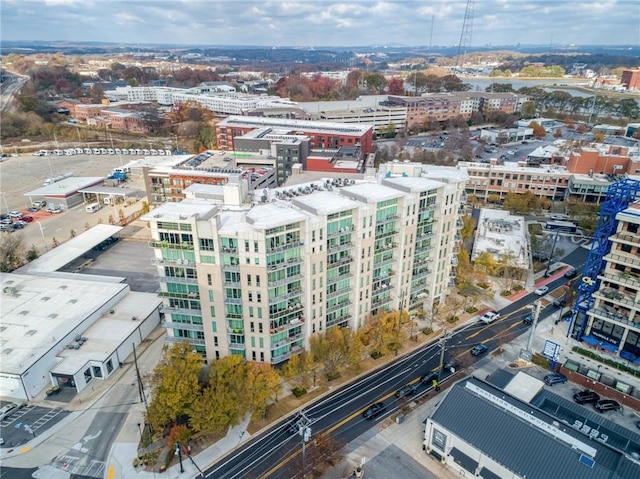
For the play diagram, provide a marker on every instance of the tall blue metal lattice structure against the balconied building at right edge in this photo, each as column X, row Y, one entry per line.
column 619, row 196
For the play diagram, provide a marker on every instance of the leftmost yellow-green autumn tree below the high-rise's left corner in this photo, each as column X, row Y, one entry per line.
column 174, row 384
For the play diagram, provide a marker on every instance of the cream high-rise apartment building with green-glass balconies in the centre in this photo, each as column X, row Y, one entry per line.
column 258, row 276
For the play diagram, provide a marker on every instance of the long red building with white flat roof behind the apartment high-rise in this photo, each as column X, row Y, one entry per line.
column 322, row 134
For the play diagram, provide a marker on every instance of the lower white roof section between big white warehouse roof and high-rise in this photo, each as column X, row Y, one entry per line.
column 108, row 333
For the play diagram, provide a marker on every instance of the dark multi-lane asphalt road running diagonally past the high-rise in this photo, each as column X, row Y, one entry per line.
column 274, row 454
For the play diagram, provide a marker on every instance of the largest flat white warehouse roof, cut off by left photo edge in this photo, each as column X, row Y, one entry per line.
column 37, row 311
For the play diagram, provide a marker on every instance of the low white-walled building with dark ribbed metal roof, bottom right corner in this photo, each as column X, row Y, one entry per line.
column 482, row 431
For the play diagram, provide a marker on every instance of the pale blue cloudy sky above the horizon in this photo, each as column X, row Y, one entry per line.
column 316, row 23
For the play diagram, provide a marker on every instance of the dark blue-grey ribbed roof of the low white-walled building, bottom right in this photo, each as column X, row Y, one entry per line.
column 518, row 444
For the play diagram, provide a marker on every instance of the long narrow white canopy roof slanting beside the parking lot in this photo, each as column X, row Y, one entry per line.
column 70, row 250
